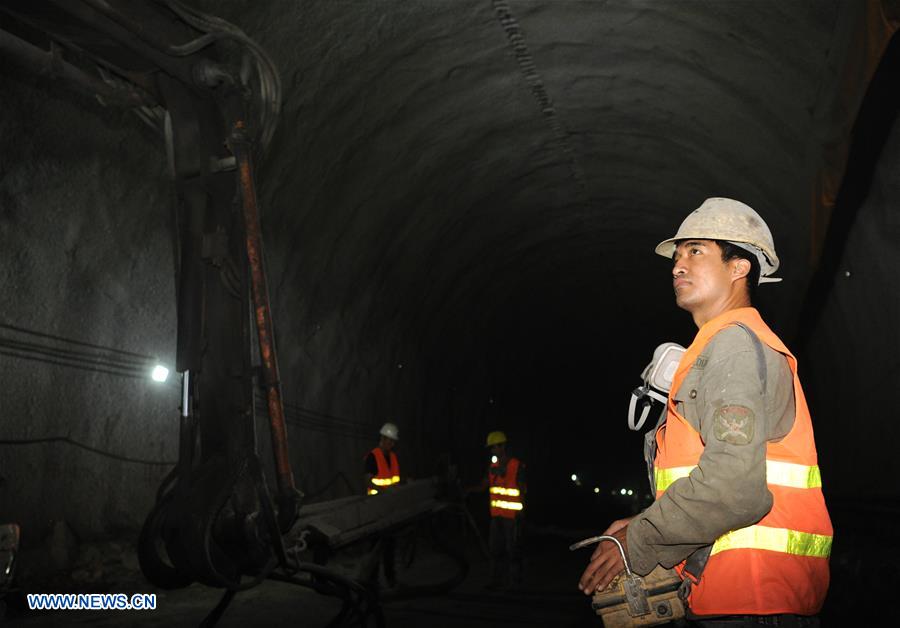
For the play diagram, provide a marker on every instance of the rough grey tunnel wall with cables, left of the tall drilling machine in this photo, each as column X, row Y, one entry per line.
column 86, row 256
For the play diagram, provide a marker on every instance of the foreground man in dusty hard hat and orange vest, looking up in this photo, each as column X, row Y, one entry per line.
column 738, row 489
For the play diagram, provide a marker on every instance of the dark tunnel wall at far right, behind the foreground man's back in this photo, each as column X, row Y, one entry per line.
column 853, row 365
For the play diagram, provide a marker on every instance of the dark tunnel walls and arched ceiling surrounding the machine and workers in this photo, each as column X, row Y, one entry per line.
column 459, row 206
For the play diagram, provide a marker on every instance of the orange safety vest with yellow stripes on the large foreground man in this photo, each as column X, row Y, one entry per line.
column 779, row 564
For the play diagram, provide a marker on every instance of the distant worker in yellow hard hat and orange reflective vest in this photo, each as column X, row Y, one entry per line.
column 505, row 482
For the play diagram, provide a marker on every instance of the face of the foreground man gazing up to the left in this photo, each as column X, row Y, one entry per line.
column 699, row 276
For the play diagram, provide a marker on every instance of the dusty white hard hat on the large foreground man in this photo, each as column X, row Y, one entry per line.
column 726, row 219
